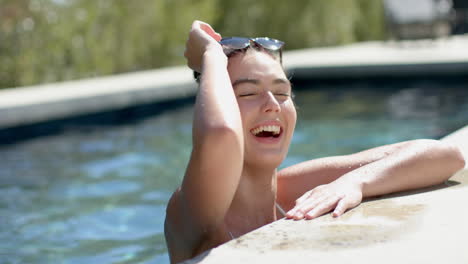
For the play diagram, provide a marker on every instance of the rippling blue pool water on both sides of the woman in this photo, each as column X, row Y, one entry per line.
column 97, row 193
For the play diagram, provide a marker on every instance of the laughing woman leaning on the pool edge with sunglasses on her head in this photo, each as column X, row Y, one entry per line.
column 243, row 123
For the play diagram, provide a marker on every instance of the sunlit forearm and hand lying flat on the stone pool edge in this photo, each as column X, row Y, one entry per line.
column 414, row 164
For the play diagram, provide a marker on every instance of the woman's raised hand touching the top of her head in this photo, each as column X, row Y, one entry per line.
column 201, row 38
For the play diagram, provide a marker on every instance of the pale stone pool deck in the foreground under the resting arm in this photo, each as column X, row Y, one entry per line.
column 426, row 226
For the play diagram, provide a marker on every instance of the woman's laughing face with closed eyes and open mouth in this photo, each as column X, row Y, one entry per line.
column 268, row 114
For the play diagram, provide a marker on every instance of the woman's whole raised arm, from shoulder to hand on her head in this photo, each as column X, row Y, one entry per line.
column 215, row 165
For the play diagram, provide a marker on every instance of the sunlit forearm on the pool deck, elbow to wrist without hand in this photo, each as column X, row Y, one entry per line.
column 420, row 164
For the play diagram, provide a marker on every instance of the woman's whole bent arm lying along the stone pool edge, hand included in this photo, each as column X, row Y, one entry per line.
column 393, row 168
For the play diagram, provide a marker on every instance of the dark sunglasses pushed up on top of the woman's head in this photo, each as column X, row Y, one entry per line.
column 233, row 44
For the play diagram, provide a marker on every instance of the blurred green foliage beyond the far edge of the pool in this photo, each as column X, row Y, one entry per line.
column 54, row 40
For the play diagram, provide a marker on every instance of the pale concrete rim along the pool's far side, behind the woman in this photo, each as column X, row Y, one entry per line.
column 35, row 104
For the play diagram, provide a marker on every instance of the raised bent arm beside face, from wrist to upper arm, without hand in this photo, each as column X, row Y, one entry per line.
column 212, row 170
